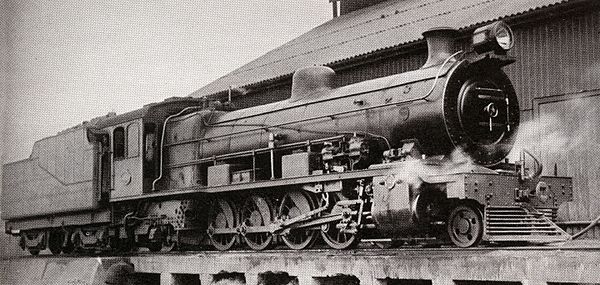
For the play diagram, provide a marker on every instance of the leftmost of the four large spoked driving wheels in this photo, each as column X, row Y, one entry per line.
column 222, row 216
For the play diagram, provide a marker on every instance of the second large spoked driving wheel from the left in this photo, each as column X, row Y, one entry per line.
column 257, row 211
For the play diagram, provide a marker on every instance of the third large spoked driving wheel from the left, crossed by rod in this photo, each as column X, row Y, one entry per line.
column 292, row 205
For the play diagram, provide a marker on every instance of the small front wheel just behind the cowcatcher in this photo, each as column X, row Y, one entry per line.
column 465, row 226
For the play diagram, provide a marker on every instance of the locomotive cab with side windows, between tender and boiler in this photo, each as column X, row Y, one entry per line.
column 131, row 161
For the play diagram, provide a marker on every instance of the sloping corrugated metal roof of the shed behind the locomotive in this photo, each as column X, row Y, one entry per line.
column 382, row 26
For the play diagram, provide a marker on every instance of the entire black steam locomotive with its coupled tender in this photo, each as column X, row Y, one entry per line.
column 412, row 157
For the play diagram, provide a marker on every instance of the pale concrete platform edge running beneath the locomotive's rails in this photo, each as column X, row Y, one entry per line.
column 399, row 266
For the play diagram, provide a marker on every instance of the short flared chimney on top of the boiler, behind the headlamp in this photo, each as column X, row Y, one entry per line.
column 440, row 45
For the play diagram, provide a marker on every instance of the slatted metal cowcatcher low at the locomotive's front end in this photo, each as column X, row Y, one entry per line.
column 522, row 224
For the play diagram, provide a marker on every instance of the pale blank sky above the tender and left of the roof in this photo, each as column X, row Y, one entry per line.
column 64, row 62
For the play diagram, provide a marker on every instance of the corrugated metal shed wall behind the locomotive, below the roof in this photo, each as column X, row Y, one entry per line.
column 557, row 79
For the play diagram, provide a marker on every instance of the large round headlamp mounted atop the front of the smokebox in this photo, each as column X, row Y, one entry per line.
column 497, row 37
